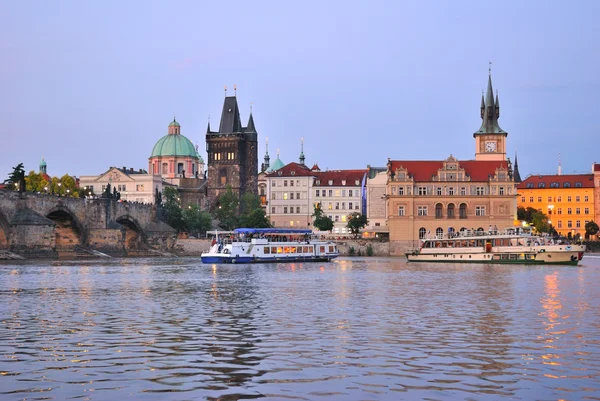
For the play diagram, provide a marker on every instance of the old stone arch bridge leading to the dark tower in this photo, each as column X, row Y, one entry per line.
column 49, row 226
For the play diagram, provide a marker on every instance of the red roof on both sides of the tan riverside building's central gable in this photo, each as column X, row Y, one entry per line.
column 424, row 170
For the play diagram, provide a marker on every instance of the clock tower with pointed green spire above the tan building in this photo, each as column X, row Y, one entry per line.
column 490, row 139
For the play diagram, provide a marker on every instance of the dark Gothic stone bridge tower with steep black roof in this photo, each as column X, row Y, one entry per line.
column 232, row 153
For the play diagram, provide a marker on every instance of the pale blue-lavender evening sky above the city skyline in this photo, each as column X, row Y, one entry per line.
column 88, row 85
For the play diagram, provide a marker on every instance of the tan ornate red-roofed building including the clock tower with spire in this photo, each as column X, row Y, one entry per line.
column 436, row 198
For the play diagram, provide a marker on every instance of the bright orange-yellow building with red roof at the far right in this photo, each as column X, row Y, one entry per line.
column 567, row 200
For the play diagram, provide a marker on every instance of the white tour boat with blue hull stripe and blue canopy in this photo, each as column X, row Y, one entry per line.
column 269, row 245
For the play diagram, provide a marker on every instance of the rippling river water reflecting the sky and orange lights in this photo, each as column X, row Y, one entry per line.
column 353, row 329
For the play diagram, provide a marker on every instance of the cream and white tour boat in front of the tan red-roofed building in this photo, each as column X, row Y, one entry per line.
column 511, row 246
